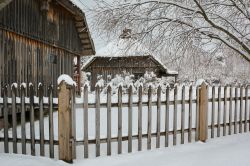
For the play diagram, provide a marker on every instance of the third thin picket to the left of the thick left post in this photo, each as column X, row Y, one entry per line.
column 32, row 119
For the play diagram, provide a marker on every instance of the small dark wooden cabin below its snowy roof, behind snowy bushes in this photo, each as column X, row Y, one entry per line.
column 136, row 65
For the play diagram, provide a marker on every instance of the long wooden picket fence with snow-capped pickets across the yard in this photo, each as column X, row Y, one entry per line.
column 185, row 113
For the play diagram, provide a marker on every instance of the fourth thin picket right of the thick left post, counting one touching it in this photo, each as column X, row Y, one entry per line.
column 109, row 121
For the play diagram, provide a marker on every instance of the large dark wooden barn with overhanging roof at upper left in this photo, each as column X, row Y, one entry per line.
column 41, row 39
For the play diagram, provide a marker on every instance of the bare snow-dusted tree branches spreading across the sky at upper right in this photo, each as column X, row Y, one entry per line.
column 177, row 25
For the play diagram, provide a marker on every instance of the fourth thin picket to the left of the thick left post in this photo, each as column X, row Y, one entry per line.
column 23, row 120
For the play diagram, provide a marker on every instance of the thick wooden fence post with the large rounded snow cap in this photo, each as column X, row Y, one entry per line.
column 65, row 122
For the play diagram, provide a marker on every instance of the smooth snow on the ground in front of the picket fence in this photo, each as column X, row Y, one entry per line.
column 224, row 151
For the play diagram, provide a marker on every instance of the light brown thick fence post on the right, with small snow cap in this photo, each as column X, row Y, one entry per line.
column 203, row 108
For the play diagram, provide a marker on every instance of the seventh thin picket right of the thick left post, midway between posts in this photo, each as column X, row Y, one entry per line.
column 140, row 118
